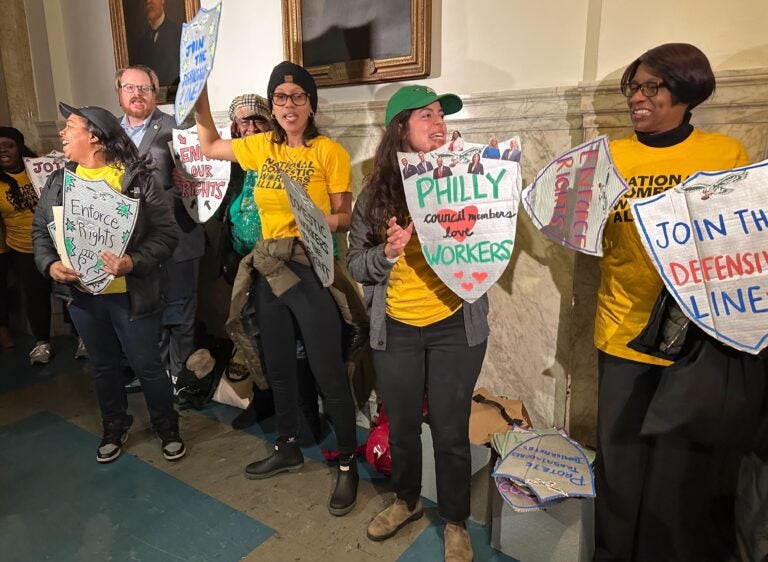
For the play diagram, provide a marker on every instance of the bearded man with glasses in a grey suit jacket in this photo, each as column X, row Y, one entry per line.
column 151, row 130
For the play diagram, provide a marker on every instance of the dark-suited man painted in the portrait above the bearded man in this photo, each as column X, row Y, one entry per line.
column 158, row 47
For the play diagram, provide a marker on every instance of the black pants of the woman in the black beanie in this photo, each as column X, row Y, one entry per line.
column 319, row 321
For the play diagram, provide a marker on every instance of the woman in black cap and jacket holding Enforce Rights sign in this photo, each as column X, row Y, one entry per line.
column 125, row 317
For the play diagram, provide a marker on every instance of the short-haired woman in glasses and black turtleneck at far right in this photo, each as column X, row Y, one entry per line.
column 655, row 494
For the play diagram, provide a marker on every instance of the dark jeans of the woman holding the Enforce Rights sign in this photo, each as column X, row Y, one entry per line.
column 104, row 323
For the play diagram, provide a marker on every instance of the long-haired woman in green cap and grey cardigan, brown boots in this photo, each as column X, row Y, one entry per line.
column 425, row 338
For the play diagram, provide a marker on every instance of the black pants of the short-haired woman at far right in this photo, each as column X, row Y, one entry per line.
column 658, row 498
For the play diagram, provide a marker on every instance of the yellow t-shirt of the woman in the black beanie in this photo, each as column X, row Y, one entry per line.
column 322, row 168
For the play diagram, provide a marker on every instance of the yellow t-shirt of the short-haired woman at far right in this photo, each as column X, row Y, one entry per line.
column 630, row 284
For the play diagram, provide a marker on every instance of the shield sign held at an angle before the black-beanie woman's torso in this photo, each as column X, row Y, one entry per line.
column 314, row 229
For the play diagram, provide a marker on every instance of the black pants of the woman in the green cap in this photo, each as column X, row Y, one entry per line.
column 435, row 360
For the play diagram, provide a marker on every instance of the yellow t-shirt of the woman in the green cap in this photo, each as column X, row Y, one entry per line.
column 415, row 294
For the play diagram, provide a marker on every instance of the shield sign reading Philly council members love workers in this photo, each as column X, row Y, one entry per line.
column 465, row 215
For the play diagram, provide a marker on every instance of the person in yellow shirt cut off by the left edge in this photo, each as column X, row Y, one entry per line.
column 17, row 206
